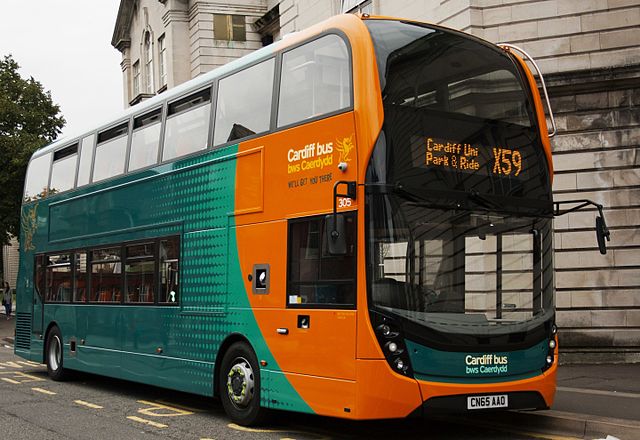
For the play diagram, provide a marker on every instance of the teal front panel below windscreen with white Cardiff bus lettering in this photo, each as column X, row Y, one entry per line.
column 476, row 367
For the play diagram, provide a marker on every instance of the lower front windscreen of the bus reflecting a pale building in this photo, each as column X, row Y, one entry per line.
column 470, row 269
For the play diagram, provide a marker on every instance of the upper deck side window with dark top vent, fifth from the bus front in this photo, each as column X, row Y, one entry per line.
column 111, row 152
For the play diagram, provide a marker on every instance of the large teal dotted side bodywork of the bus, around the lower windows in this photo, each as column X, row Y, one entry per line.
column 195, row 198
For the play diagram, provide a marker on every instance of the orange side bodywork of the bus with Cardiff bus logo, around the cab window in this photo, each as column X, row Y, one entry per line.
column 300, row 168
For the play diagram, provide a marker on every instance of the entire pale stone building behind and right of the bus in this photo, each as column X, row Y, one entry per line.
column 589, row 52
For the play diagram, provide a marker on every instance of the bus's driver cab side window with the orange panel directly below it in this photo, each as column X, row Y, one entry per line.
column 320, row 299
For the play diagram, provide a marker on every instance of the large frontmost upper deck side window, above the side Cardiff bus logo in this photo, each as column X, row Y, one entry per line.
column 316, row 80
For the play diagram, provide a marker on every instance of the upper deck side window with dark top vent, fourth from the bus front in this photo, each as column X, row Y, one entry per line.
column 145, row 140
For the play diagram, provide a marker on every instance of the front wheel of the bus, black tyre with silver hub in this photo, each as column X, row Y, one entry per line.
column 239, row 385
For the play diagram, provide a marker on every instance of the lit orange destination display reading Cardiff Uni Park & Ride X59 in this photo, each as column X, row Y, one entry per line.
column 494, row 160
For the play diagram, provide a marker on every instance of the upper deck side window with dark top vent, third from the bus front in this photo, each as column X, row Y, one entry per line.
column 187, row 126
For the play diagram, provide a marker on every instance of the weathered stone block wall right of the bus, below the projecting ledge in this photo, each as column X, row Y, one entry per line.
column 597, row 156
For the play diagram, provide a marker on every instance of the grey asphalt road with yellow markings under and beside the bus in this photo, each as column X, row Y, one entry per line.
column 94, row 407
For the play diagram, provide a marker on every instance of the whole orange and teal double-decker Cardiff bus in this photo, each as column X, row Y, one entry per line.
column 355, row 221
